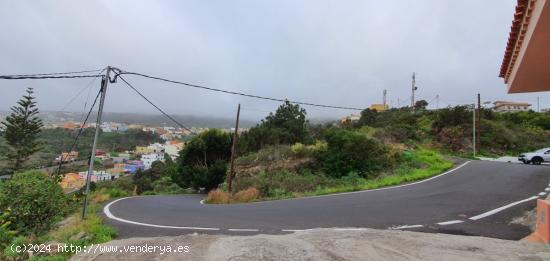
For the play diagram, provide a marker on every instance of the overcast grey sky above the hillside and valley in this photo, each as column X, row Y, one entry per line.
column 342, row 53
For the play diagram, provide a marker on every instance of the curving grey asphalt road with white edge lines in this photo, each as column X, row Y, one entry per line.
column 452, row 199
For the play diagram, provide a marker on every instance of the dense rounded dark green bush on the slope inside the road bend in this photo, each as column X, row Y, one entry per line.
column 350, row 151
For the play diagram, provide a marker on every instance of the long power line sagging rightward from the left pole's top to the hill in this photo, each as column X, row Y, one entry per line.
column 120, row 72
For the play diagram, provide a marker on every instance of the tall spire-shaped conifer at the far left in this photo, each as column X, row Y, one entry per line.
column 21, row 129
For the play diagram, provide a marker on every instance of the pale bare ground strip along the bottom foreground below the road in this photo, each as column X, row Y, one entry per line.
column 330, row 244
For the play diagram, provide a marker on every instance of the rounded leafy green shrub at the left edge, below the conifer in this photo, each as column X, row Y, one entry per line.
column 35, row 201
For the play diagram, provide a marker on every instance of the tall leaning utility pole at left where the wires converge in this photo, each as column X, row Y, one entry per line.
column 104, row 83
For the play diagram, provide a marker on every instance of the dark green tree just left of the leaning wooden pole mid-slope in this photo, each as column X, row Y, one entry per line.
column 203, row 161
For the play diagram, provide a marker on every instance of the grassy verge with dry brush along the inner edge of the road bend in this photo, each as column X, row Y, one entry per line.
column 296, row 175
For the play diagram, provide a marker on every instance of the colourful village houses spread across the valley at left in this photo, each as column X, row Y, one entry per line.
column 115, row 164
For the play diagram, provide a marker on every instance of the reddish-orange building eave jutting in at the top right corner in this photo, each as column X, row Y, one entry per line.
column 526, row 61
